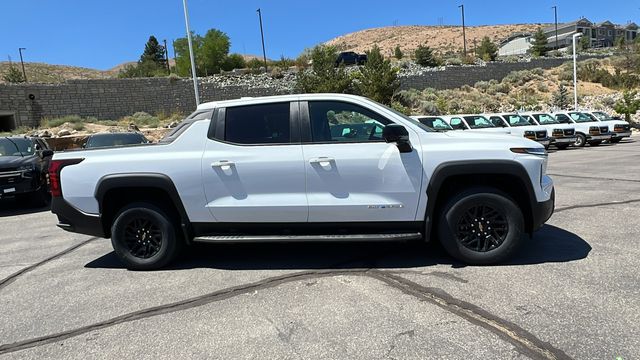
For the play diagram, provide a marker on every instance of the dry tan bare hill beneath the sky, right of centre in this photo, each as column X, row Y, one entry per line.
column 442, row 39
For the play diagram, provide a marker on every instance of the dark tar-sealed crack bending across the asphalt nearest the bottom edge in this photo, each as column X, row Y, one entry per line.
column 523, row 340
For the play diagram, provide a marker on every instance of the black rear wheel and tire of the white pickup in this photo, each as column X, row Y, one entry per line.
column 144, row 237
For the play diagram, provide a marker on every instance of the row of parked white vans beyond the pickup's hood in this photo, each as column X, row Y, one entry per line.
column 560, row 129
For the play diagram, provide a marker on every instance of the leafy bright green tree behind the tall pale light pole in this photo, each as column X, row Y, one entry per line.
column 210, row 53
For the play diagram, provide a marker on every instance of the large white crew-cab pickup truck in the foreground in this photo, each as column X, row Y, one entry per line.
column 316, row 167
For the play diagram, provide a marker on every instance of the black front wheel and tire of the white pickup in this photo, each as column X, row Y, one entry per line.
column 455, row 225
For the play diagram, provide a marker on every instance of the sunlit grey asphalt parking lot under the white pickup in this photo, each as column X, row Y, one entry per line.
column 572, row 292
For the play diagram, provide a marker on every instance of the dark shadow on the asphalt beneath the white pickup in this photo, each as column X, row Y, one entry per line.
column 550, row 244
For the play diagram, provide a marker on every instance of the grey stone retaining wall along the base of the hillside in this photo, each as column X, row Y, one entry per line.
column 27, row 104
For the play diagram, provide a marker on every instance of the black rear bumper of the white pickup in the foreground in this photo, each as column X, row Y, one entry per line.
column 74, row 220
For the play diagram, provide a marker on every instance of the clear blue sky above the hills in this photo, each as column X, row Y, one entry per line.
column 102, row 34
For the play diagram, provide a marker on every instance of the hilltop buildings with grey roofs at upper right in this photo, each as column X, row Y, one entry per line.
column 604, row 34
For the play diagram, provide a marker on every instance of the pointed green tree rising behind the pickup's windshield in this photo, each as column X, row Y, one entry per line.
column 377, row 79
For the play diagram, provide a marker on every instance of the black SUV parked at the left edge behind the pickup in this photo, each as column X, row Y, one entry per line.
column 24, row 163
